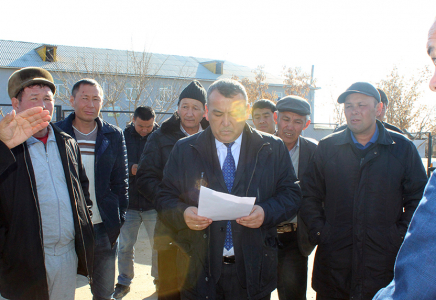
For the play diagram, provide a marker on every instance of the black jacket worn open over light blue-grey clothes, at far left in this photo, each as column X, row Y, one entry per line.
column 22, row 268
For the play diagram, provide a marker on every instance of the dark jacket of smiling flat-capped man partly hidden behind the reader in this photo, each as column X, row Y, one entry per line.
column 307, row 147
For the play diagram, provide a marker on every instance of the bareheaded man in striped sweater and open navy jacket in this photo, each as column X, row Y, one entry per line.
column 104, row 156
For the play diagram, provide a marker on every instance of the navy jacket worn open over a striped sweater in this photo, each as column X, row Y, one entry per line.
column 111, row 174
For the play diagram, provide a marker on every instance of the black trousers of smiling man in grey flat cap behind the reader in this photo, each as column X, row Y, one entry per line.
column 292, row 269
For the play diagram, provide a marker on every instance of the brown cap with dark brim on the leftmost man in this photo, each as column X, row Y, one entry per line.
column 29, row 76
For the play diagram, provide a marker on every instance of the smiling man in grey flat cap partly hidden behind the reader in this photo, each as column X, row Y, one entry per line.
column 292, row 117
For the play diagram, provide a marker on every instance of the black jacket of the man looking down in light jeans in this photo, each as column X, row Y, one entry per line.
column 135, row 145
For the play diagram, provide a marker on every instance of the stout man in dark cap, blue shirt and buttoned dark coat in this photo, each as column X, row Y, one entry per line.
column 360, row 191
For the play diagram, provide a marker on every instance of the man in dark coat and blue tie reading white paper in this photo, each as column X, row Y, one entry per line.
column 229, row 259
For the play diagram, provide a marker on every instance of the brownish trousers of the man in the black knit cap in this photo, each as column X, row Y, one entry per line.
column 167, row 270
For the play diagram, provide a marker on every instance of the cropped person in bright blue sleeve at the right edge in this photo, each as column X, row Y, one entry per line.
column 415, row 267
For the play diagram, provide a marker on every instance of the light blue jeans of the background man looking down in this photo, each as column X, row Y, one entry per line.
column 128, row 237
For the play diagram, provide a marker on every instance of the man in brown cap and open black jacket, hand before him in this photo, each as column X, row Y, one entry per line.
column 46, row 235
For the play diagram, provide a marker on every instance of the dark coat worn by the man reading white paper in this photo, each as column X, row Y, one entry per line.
column 264, row 171
